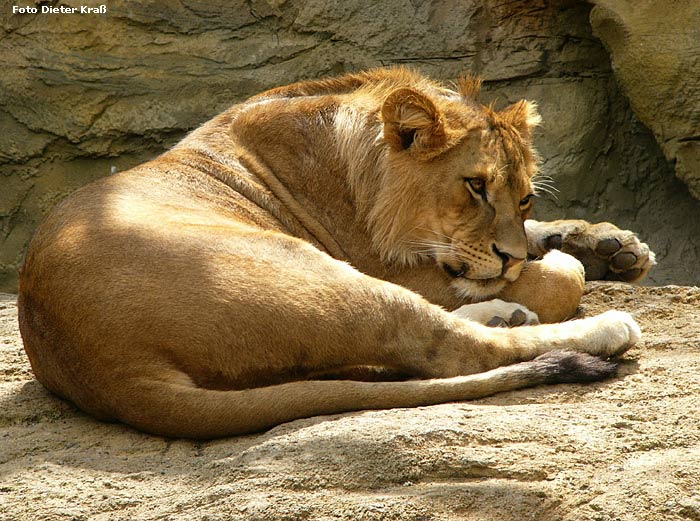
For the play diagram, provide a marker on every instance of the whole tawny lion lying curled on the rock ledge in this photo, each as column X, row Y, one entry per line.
column 323, row 228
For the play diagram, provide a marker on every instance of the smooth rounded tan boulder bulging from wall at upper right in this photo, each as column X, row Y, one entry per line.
column 655, row 51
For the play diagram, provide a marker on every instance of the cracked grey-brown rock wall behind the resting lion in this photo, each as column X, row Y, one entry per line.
column 82, row 93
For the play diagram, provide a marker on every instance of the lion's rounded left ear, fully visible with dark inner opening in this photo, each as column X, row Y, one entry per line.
column 411, row 120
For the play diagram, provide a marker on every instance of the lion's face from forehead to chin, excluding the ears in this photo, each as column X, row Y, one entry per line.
column 474, row 222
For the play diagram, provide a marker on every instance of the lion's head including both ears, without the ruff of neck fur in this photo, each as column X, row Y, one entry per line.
column 469, row 176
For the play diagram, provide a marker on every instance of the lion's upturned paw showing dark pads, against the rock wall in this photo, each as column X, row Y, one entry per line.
column 607, row 252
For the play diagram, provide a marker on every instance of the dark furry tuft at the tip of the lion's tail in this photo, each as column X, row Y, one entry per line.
column 573, row 367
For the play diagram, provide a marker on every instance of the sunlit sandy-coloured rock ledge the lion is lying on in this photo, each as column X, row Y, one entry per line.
column 626, row 449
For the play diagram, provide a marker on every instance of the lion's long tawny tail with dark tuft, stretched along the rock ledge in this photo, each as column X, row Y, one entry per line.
column 180, row 410
